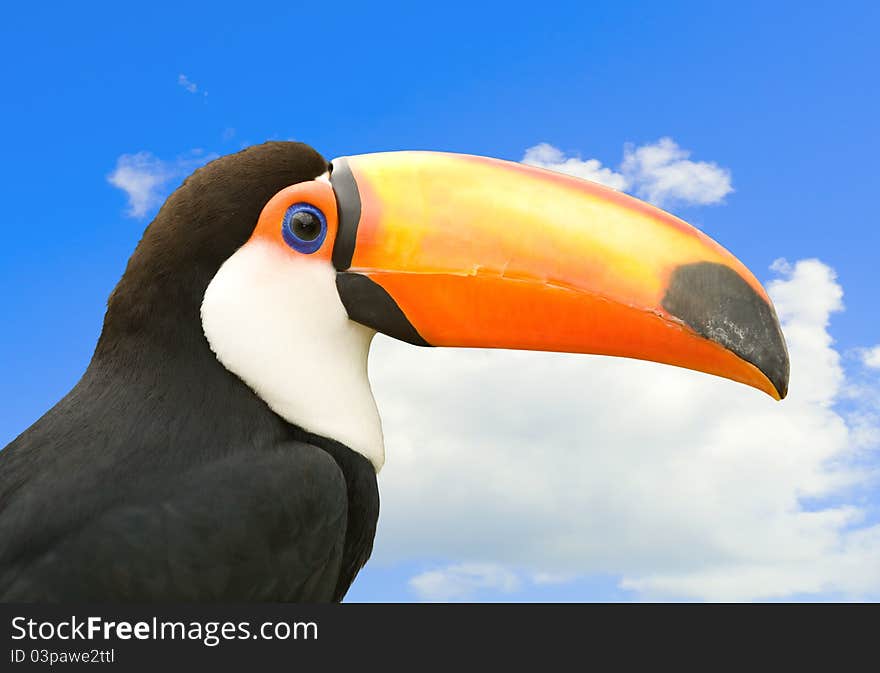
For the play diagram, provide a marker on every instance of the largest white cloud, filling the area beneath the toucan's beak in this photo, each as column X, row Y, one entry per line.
column 681, row 484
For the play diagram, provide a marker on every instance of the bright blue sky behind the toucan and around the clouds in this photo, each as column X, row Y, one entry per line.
column 780, row 97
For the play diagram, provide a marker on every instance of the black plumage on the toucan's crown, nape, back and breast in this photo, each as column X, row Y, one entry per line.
column 162, row 476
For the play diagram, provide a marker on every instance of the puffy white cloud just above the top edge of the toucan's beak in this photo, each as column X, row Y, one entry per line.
column 658, row 172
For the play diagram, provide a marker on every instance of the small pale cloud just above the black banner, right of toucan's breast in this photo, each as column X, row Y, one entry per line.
column 462, row 581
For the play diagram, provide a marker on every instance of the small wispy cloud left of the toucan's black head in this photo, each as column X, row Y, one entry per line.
column 146, row 179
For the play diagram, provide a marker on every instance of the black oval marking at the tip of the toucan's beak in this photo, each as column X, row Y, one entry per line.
column 718, row 304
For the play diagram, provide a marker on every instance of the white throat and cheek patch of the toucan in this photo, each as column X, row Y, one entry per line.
column 278, row 324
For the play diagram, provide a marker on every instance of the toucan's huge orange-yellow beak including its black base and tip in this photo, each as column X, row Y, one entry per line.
column 452, row 250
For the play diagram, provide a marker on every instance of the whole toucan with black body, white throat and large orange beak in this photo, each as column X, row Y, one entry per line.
column 223, row 442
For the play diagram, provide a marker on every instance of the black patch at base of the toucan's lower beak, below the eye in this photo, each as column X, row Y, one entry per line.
column 370, row 304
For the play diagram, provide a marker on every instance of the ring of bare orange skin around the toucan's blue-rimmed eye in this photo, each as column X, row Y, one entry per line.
column 316, row 193
